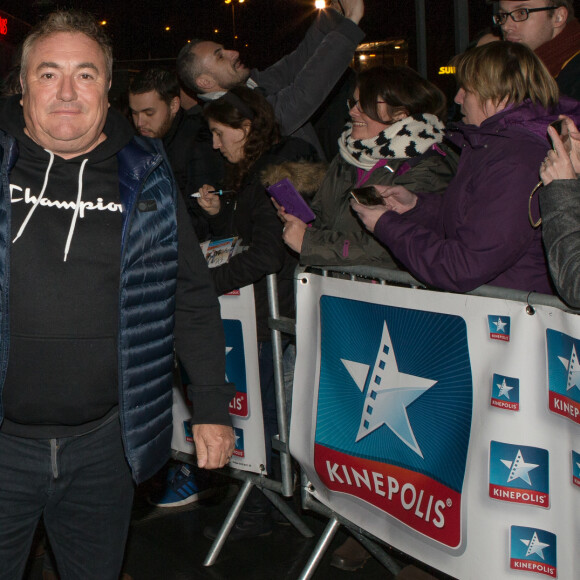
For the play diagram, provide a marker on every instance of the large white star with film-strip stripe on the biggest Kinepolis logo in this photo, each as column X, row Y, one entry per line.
column 389, row 394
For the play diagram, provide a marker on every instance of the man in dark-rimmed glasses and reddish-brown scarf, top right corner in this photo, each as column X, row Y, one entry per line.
column 549, row 28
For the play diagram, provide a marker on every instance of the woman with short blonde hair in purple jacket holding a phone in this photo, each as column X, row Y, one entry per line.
column 479, row 231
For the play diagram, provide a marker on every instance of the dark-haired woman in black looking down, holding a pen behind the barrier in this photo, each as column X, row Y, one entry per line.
column 246, row 133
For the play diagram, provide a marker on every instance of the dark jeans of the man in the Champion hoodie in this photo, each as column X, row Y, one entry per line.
column 83, row 488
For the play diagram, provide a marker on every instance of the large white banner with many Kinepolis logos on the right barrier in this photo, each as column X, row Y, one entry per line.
column 446, row 425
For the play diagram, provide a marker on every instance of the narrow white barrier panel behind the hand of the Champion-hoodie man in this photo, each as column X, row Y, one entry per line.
column 239, row 320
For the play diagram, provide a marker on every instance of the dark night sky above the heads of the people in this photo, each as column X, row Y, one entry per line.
column 271, row 28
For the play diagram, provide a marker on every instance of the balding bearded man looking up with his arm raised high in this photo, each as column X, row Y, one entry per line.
column 298, row 83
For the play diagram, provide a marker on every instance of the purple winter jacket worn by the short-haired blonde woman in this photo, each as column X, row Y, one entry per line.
column 478, row 231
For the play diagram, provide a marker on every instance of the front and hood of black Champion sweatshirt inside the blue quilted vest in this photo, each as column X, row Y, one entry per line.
column 62, row 377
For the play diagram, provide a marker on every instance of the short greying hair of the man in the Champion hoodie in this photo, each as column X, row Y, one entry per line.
column 71, row 21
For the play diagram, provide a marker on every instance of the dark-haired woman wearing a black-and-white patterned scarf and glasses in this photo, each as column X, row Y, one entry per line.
column 395, row 137
